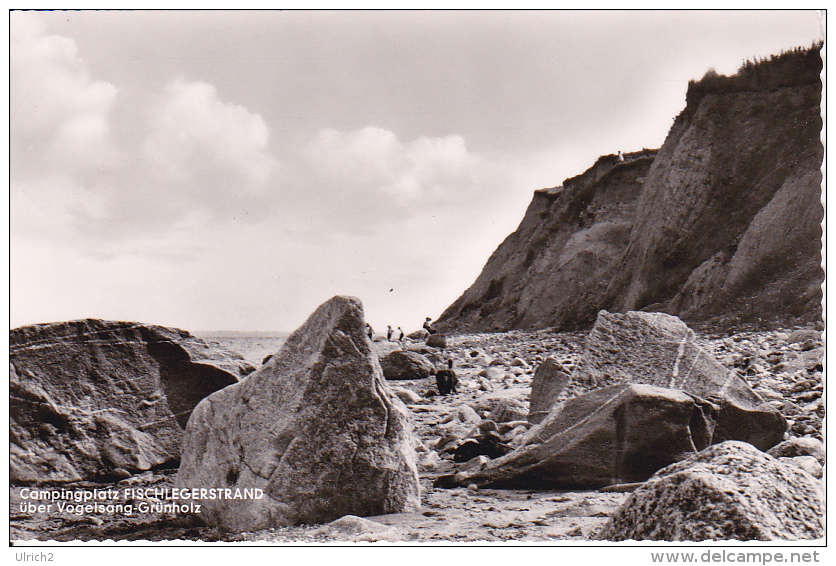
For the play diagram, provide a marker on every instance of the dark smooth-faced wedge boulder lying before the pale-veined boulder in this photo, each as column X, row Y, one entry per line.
column 619, row 434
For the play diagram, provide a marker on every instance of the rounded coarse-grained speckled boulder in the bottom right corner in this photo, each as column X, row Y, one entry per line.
column 729, row 491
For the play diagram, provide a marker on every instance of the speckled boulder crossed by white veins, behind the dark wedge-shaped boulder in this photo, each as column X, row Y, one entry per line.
column 659, row 349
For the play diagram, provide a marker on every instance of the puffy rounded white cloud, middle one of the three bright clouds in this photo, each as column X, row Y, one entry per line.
column 201, row 161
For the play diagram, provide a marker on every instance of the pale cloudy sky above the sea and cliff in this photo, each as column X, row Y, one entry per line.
column 233, row 170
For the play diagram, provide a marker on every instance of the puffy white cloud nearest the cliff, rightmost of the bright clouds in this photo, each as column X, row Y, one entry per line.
column 365, row 180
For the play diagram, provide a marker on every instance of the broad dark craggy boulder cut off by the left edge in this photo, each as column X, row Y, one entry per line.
column 93, row 399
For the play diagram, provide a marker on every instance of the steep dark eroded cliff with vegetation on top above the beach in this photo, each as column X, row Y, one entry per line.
column 723, row 223
